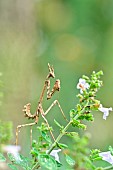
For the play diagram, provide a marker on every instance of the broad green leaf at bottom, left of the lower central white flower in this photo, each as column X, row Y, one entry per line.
column 47, row 161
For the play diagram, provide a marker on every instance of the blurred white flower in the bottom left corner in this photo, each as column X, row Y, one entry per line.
column 14, row 150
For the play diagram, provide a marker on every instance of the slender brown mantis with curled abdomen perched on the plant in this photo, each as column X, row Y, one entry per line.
column 39, row 110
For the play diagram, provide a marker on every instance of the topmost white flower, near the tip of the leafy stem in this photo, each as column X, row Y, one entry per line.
column 82, row 85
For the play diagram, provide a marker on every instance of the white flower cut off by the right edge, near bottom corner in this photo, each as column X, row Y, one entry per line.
column 106, row 156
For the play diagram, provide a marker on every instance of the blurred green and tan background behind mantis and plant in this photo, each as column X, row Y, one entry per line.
column 76, row 37
